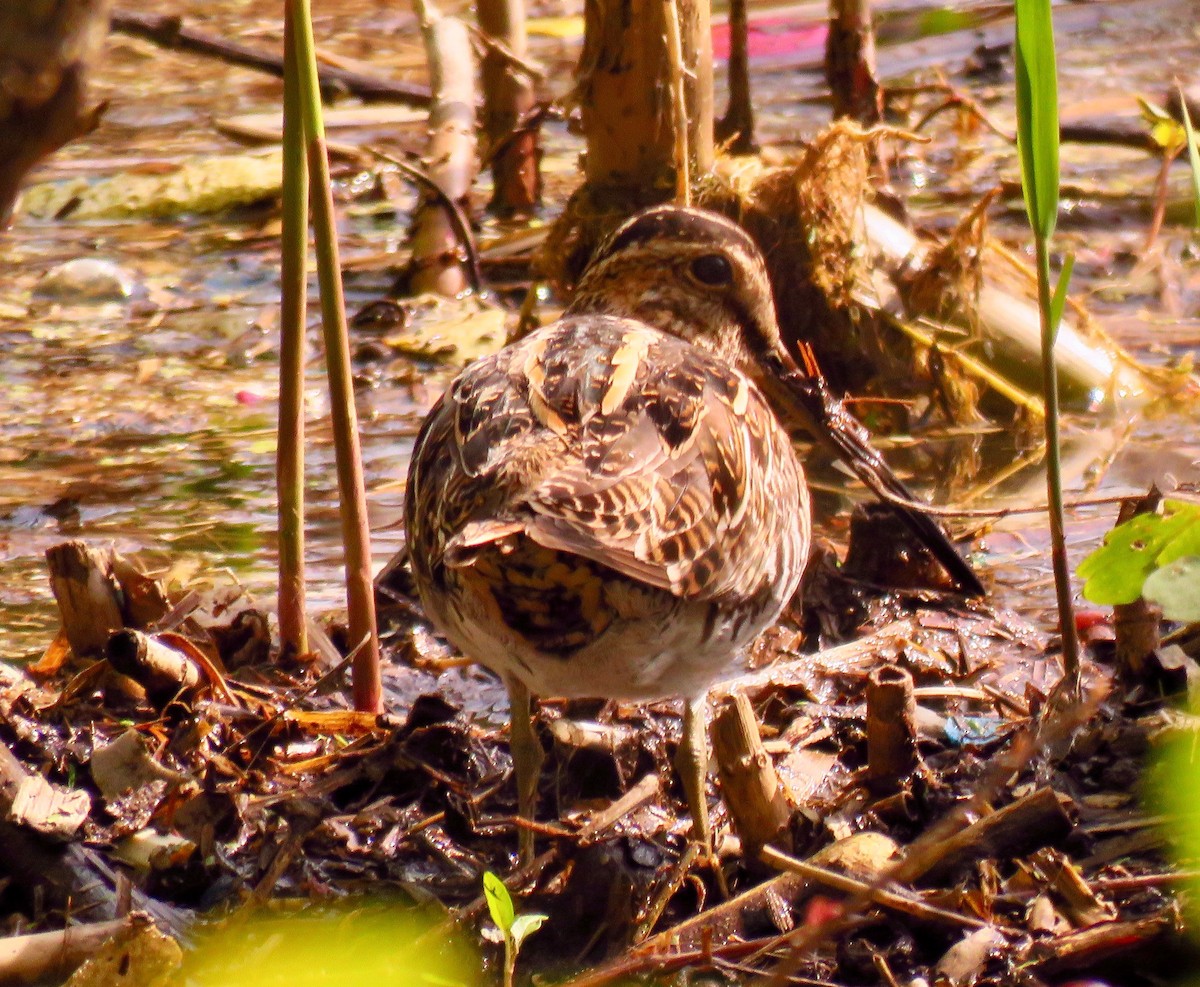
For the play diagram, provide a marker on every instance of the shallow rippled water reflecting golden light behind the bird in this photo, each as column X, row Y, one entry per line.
column 149, row 423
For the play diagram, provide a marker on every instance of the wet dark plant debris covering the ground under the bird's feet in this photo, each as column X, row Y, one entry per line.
column 998, row 839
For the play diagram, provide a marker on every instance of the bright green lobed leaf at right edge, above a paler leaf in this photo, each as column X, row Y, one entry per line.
column 1117, row 572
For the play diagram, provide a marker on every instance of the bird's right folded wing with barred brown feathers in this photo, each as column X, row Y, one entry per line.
column 676, row 498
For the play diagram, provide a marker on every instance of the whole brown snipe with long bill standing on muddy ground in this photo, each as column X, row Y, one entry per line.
column 611, row 506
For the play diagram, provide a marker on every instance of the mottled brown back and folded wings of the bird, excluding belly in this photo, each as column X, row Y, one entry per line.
column 613, row 441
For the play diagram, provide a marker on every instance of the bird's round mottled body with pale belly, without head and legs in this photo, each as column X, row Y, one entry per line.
column 590, row 512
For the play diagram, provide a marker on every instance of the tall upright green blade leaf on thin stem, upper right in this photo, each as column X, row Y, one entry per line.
column 1037, row 115
